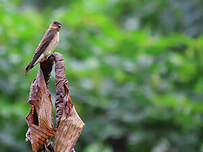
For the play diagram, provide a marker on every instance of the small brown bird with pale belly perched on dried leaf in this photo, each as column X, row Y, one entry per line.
column 46, row 45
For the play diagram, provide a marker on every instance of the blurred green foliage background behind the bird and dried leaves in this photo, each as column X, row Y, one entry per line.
column 134, row 68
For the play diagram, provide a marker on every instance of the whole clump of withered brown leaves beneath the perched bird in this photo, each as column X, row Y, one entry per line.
column 40, row 118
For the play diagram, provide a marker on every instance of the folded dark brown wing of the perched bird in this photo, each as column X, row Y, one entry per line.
column 48, row 36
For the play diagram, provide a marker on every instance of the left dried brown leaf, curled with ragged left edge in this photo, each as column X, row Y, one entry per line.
column 40, row 100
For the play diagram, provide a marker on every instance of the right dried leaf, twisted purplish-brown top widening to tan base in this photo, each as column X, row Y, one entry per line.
column 67, row 120
